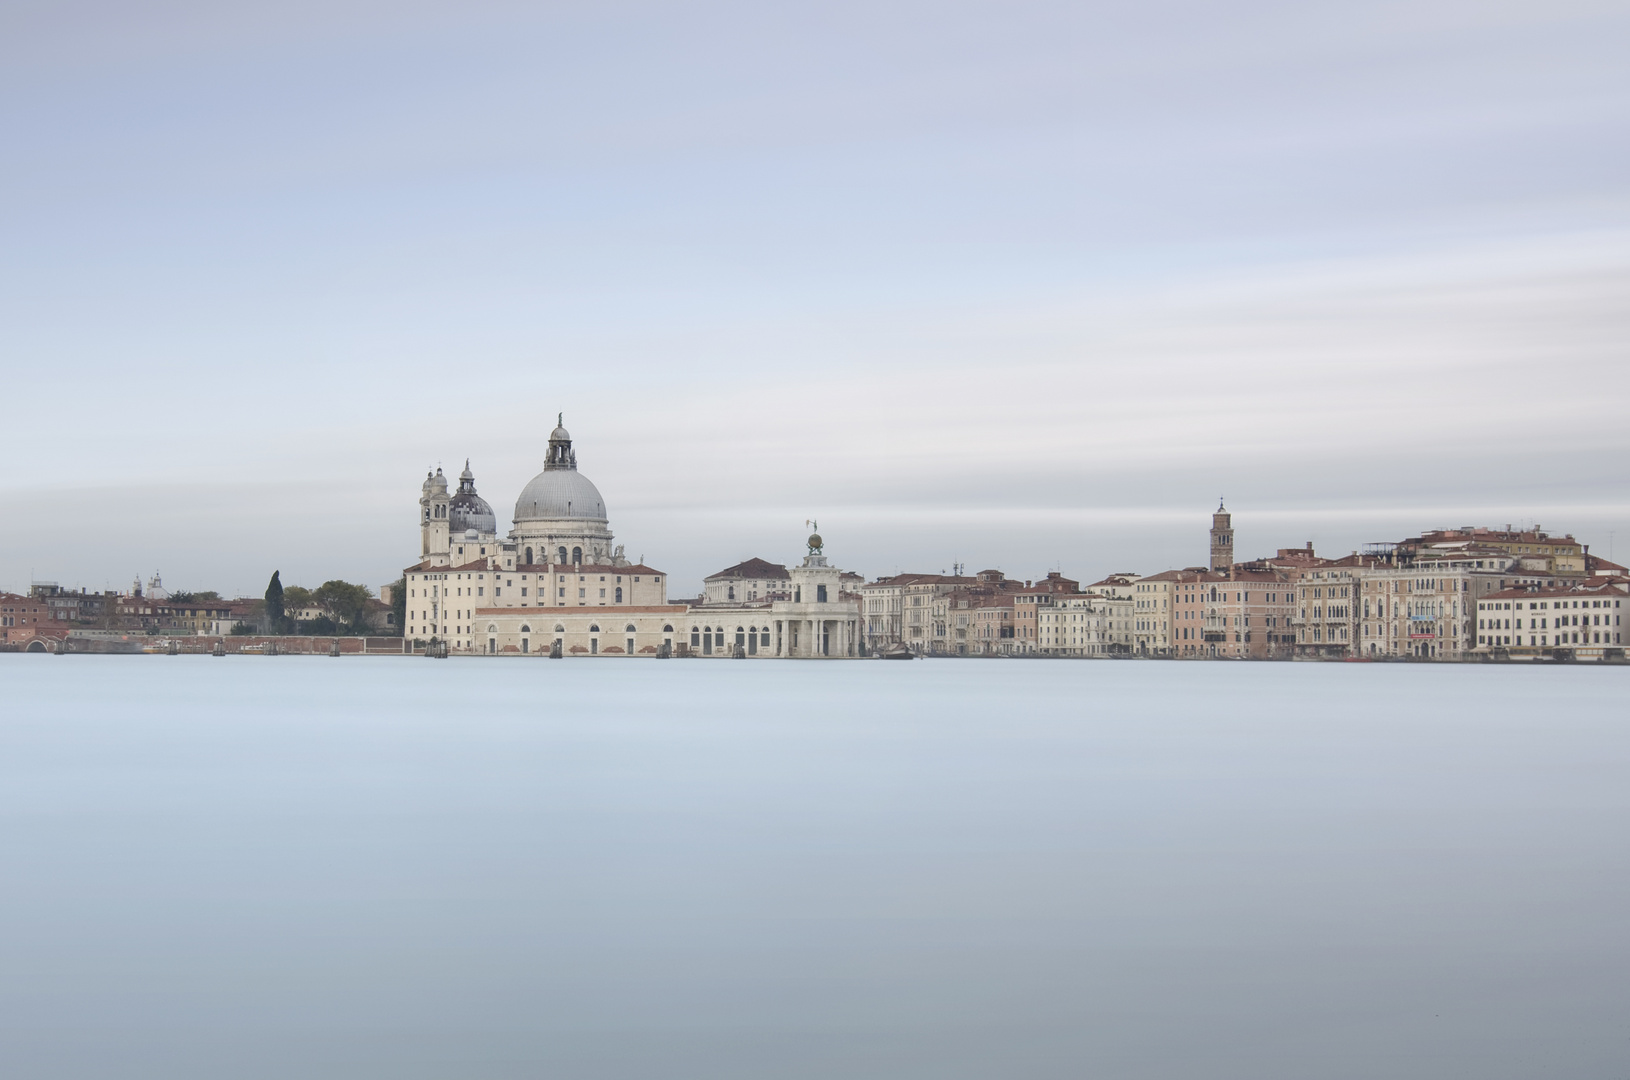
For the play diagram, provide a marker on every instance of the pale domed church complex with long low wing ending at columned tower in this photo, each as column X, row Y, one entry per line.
column 558, row 584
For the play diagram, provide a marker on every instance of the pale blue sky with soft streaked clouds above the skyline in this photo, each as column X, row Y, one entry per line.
column 1018, row 286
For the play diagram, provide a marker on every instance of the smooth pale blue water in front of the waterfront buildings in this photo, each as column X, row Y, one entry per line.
column 312, row 867
